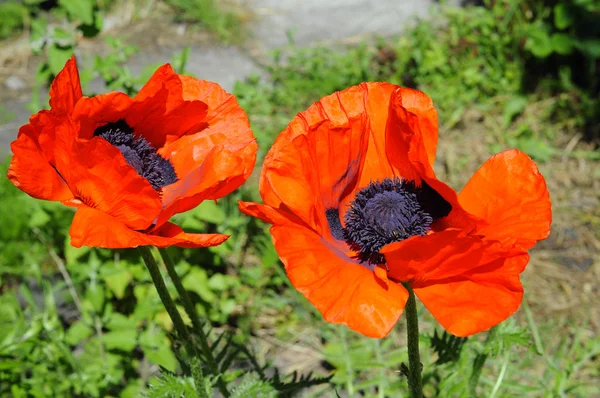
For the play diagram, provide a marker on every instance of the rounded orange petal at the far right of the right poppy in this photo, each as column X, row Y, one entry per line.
column 510, row 194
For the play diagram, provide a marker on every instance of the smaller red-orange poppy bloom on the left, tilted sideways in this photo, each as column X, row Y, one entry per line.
column 129, row 164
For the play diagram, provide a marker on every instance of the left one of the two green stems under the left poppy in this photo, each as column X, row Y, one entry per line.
column 169, row 304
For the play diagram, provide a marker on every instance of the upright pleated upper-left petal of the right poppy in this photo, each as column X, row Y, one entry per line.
column 320, row 157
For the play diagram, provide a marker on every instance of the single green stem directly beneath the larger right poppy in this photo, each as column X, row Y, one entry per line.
column 412, row 331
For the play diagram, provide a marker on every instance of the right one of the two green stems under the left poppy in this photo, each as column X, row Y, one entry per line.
column 193, row 314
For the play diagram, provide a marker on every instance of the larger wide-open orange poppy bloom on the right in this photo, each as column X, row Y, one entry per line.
column 357, row 210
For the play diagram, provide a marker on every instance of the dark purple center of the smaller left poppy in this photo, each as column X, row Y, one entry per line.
column 139, row 154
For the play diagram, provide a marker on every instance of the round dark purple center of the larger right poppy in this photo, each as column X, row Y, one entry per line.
column 384, row 212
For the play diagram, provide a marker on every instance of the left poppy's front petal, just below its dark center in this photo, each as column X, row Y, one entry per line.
column 101, row 178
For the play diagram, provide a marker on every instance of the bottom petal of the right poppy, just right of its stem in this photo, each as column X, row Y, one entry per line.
column 477, row 300
